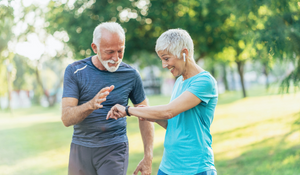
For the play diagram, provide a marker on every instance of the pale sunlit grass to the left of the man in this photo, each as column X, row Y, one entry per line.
column 33, row 141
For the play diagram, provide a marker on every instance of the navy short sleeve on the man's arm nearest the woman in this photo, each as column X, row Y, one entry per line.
column 137, row 95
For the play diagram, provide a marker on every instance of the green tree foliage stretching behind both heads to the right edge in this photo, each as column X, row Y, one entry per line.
column 225, row 32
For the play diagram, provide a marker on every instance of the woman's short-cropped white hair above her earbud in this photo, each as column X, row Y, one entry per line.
column 174, row 40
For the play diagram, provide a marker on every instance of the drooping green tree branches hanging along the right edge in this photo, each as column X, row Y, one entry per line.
column 281, row 36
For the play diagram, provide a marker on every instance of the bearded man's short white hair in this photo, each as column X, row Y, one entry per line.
column 111, row 27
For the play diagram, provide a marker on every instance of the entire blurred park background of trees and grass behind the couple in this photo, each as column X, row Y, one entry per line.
column 252, row 48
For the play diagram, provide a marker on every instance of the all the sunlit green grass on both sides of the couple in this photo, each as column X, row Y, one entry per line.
column 258, row 135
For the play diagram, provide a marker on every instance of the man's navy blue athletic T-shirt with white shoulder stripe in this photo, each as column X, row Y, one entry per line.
column 82, row 80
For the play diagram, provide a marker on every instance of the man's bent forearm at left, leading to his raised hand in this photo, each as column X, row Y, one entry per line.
column 72, row 115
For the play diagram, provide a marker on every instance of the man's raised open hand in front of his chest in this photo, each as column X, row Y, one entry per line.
column 95, row 103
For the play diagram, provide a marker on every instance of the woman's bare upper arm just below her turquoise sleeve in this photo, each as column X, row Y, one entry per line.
column 184, row 102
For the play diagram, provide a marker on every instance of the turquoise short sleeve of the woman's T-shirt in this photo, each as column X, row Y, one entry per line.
column 204, row 87
